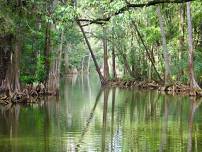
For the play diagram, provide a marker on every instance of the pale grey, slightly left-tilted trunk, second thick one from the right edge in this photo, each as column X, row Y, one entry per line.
column 165, row 49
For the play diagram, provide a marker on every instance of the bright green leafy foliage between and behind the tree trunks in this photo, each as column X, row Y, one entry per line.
column 29, row 22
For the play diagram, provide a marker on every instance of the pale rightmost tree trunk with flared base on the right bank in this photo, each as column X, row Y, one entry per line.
column 193, row 83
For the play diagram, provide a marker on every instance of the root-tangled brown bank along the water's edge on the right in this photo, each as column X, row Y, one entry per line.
column 176, row 88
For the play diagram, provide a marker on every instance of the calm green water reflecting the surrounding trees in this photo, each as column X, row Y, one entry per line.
column 86, row 118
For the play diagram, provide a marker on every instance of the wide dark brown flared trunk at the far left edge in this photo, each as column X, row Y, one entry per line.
column 10, row 63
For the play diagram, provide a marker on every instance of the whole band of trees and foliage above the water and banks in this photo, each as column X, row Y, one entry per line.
column 158, row 40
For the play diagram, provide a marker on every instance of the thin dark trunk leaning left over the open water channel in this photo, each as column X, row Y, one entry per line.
column 102, row 79
